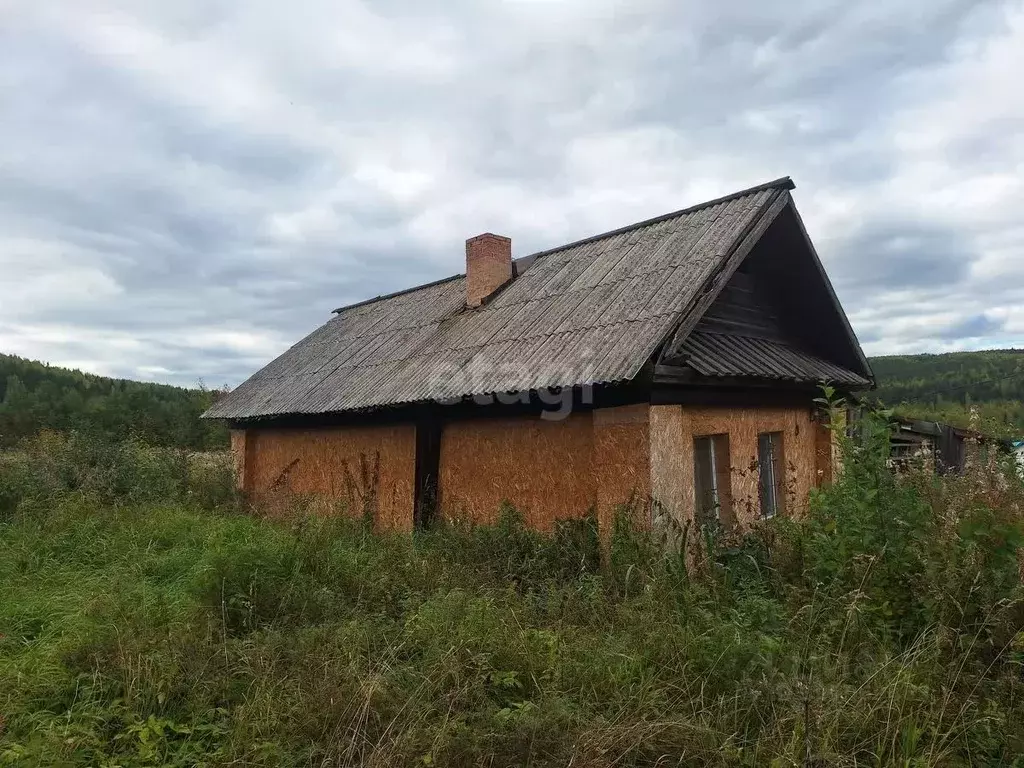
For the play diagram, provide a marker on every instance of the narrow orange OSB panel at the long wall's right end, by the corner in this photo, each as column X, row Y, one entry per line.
column 622, row 461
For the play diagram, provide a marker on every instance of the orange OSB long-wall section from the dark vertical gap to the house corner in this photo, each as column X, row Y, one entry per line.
column 549, row 471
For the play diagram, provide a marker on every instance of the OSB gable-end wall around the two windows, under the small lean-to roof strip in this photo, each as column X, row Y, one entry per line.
column 675, row 428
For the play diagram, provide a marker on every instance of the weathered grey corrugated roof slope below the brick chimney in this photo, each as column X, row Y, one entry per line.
column 592, row 312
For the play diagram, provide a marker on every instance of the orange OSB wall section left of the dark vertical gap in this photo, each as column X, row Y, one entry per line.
column 365, row 468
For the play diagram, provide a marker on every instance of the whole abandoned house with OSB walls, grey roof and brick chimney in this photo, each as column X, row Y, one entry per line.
column 671, row 364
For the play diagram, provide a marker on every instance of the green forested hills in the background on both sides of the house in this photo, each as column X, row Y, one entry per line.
column 980, row 390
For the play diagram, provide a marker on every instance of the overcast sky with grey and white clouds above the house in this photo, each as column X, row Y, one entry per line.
column 189, row 188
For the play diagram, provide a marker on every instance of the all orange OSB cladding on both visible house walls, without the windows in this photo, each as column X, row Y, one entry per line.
column 549, row 471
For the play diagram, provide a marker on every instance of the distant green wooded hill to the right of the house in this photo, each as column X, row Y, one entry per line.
column 948, row 388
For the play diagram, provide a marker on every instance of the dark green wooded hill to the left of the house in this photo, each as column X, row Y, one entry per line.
column 36, row 397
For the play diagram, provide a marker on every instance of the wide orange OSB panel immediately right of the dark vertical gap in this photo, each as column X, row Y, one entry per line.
column 544, row 468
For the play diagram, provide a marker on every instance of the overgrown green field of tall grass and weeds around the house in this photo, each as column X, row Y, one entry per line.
column 146, row 622
